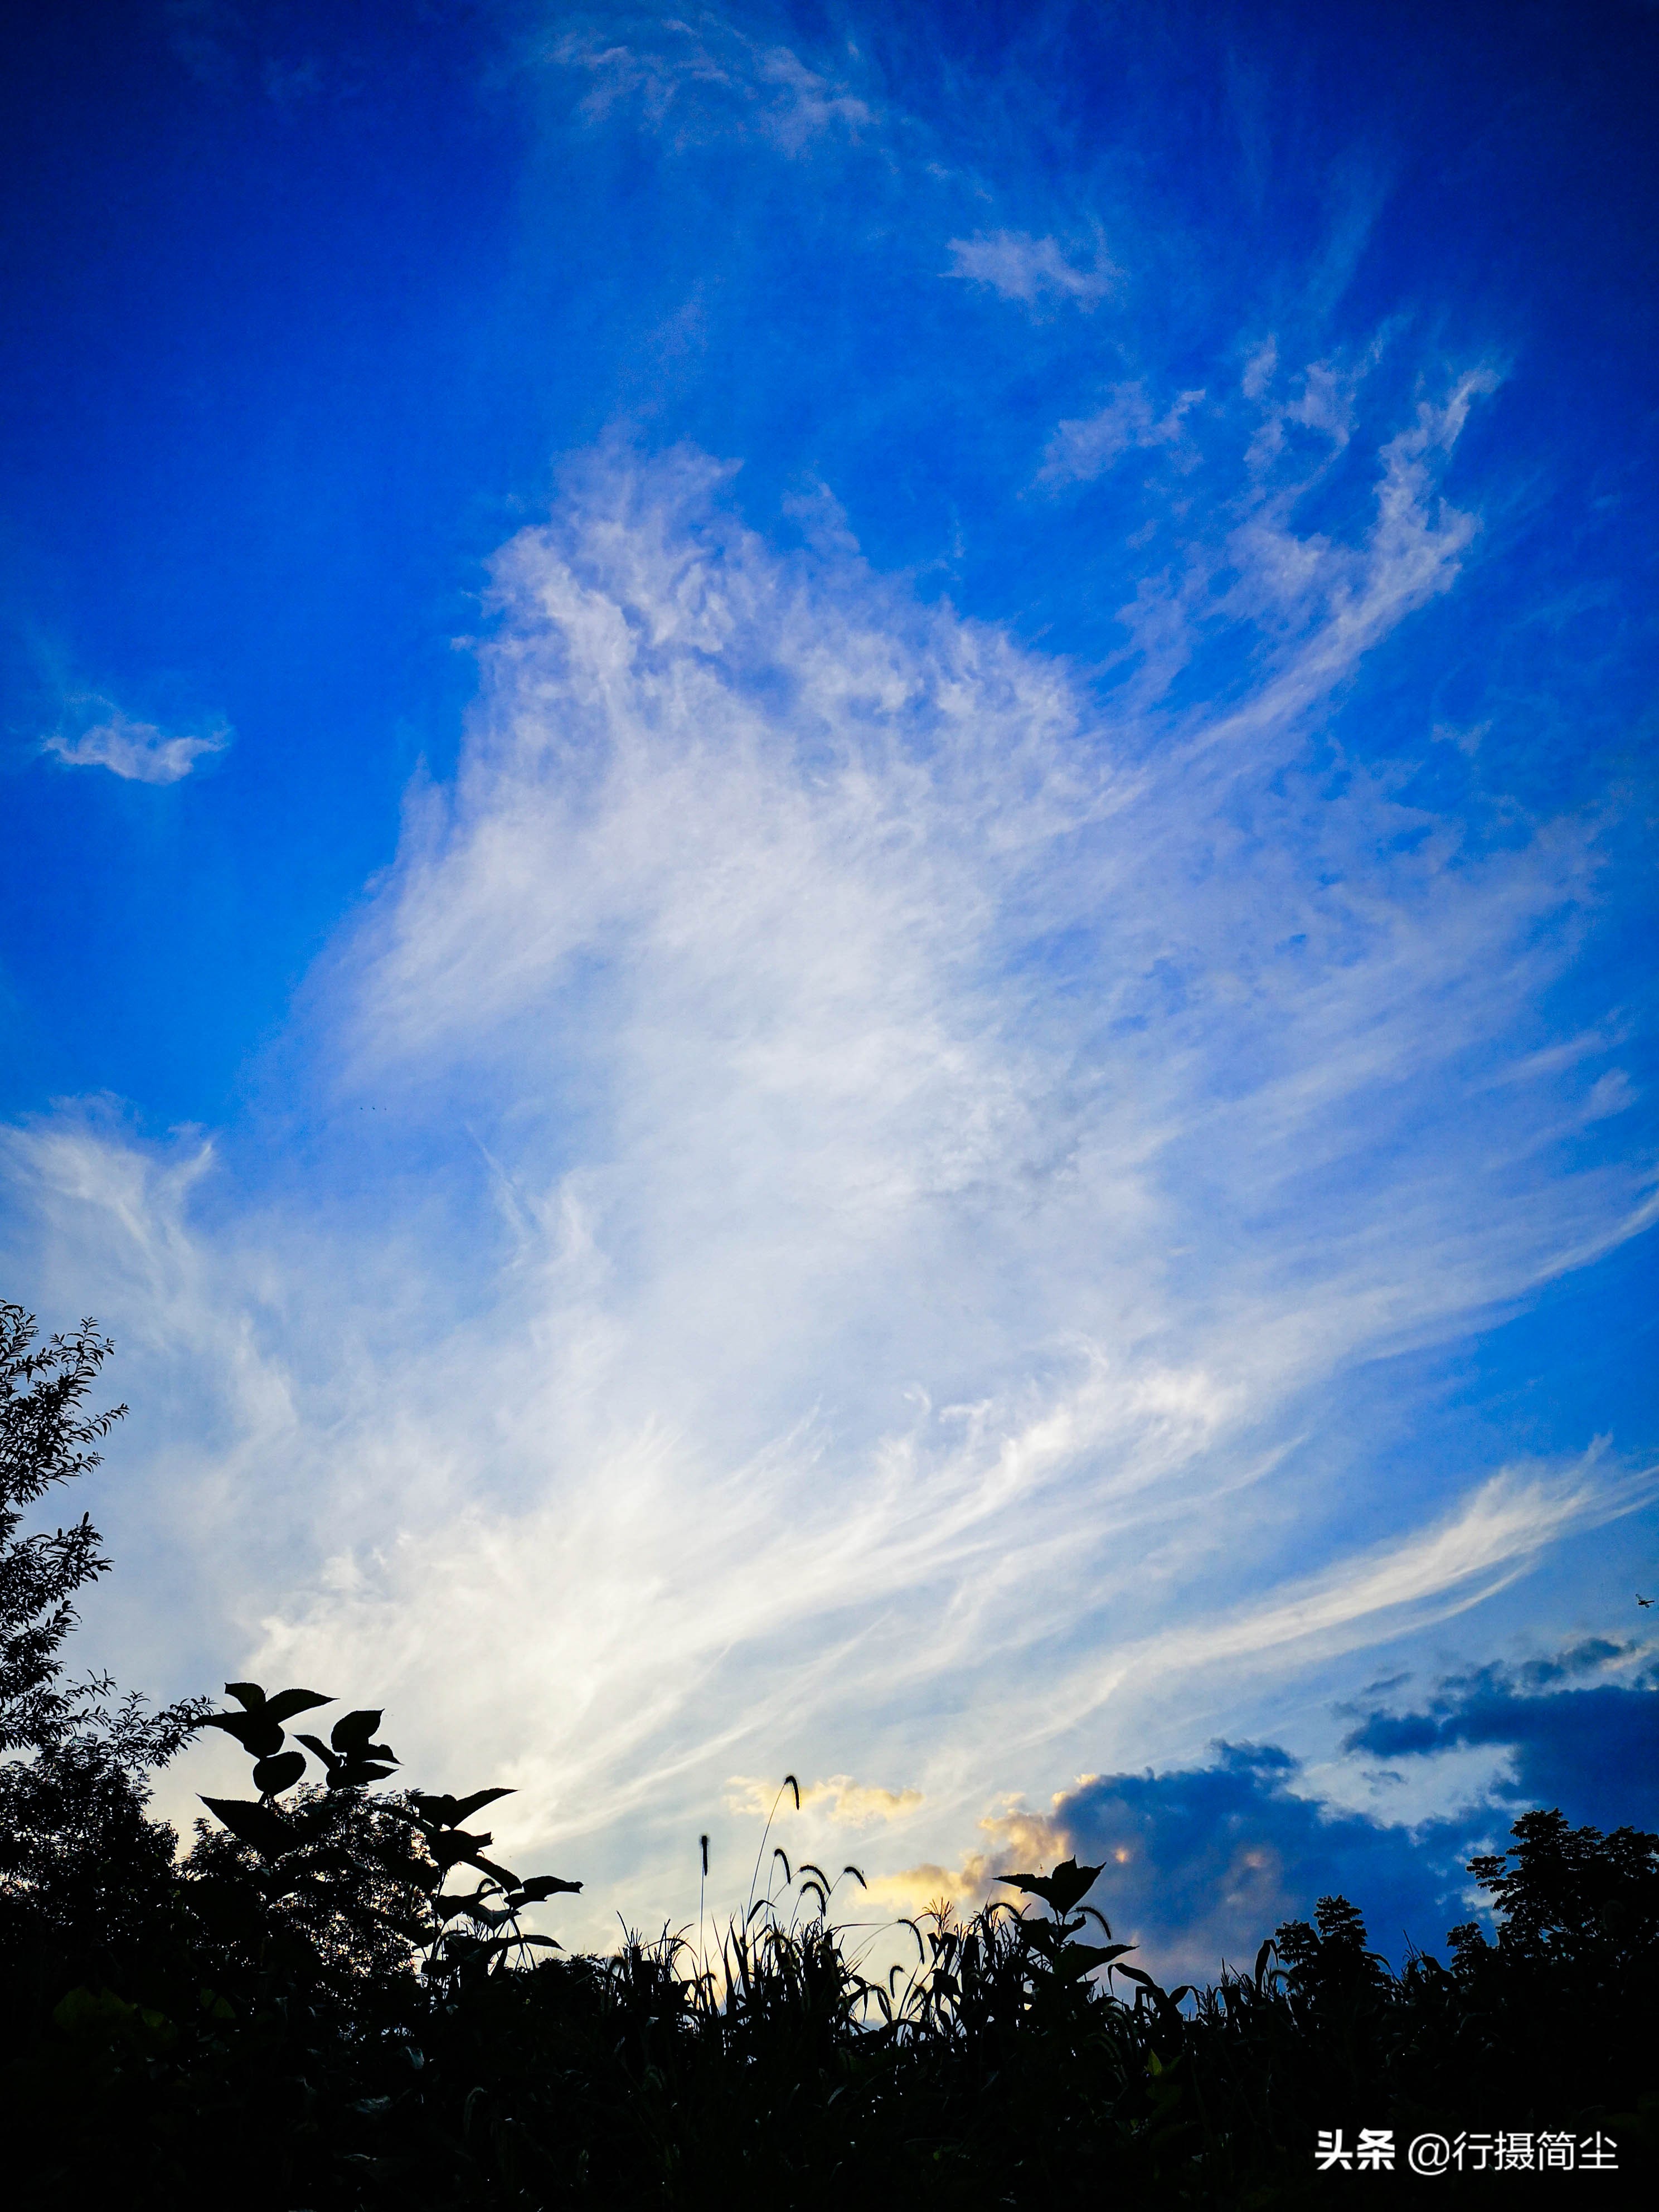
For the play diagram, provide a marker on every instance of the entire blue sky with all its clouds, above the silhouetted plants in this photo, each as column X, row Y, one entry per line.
column 831, row 912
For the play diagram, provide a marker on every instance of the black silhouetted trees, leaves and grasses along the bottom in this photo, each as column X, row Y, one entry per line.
column 333, row 2003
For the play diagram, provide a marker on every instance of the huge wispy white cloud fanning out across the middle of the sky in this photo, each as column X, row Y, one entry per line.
column 877, row 1160
